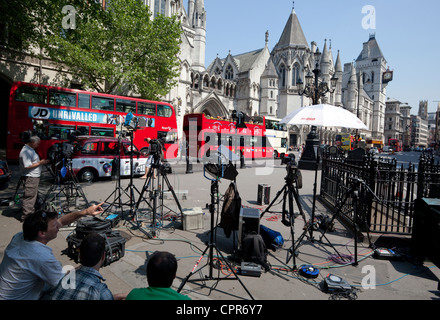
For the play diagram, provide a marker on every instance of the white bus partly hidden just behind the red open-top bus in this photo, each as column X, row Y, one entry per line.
column 278, row 136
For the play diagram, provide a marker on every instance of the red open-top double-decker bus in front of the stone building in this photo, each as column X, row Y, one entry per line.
column 204, row 133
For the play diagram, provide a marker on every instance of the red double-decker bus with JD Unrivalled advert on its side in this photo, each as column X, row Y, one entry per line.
column 53, row 113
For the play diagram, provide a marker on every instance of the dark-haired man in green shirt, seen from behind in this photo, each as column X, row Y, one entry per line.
column 161, row 271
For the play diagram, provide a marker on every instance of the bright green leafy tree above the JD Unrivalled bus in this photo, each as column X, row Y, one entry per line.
column 121, row 49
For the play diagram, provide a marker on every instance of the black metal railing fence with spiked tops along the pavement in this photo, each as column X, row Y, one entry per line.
column 378, row 193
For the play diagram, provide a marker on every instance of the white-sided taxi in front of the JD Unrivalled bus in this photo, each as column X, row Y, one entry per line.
column 93, row 157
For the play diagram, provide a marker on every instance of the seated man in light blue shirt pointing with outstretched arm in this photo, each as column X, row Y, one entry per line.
column 28, row 263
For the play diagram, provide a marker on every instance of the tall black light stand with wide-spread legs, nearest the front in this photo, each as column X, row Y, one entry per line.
column 211, row 246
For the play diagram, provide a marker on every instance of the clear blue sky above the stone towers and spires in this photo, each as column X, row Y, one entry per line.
column 407, row 32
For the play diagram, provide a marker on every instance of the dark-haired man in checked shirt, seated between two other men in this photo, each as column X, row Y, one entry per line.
column 88, row 281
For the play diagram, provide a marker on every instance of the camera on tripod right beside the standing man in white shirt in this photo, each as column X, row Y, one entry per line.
column 68, row 186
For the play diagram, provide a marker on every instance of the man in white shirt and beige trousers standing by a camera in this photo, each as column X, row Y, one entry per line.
column 30, row 165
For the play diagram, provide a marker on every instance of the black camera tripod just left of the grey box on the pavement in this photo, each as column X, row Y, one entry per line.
column 157, row 191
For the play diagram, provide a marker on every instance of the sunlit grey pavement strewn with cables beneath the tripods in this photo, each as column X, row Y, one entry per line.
column 365, row 276
